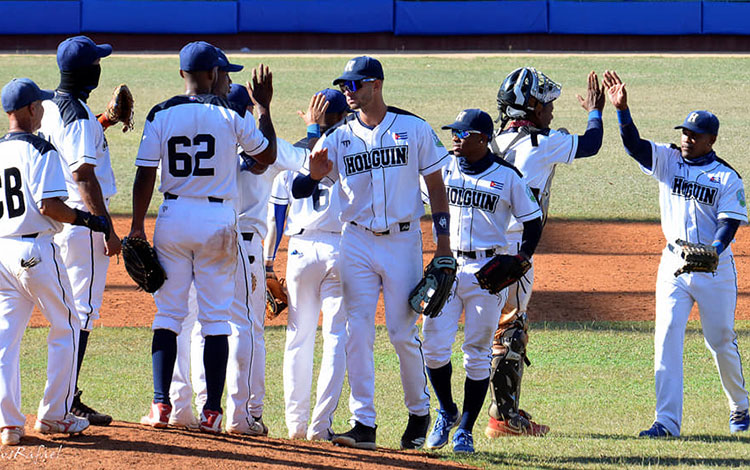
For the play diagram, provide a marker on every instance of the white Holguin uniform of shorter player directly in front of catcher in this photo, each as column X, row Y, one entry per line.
column 481, row 206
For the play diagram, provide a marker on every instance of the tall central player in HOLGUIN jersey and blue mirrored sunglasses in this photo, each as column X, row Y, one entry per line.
column 377, row 154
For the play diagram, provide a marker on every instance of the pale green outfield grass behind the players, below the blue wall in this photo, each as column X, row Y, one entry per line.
column 663, row 89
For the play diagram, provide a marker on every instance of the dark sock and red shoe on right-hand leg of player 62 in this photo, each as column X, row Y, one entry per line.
column 215, row 357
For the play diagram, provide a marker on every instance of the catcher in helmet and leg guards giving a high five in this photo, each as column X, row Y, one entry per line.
column 526, row 102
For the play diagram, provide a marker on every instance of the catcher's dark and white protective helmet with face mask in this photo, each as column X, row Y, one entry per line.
column 521, row 90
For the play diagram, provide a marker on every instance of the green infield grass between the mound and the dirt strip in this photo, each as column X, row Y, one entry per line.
column 591, row 382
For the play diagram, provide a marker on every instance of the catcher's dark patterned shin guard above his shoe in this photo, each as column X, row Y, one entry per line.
column 508, row 360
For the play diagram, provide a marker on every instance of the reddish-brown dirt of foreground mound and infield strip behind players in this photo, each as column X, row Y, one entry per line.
column 585, row 271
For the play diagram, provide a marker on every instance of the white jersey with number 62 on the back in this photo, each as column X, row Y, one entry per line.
column 194, row 139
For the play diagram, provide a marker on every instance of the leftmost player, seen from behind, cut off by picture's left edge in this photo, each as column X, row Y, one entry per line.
column 31, row 268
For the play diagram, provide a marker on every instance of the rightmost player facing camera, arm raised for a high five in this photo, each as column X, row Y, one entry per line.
column 702, row 200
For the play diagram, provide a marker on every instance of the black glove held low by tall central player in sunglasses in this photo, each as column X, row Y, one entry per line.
column 432, row 292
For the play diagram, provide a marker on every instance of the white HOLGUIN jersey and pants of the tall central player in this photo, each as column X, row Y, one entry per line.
column 381, row 246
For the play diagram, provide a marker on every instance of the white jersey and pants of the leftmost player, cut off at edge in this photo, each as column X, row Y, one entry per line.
column 32, row 273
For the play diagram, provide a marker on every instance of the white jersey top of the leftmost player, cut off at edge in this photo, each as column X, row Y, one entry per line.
column 30, row 171
